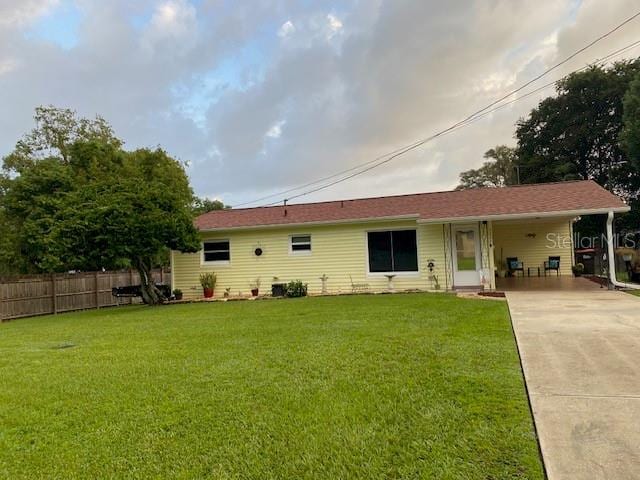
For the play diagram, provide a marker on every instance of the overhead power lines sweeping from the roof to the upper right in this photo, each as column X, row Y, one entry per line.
column 388, row 157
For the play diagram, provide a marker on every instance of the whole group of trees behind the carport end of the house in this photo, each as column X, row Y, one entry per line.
column 589, row 130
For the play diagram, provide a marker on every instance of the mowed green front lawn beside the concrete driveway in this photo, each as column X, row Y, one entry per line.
column 388, row 386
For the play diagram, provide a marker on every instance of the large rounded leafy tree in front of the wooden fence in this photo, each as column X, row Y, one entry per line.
column 97, row 206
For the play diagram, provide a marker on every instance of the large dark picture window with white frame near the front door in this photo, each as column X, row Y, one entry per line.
column 393, row 251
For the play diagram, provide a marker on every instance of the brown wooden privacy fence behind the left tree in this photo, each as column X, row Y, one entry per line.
column 27, row 296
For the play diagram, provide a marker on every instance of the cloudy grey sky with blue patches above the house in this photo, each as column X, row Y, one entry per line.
column 261, row 96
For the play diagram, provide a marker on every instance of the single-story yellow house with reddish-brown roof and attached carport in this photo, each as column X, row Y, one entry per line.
column 426, row 241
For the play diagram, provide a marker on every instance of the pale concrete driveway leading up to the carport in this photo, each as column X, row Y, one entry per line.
column 581, row 357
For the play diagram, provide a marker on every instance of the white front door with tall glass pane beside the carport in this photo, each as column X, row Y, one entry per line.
column 466, row 255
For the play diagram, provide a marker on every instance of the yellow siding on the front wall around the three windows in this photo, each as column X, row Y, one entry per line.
column 337, row 251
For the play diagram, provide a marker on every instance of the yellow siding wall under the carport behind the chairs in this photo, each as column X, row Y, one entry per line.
column 552, row 238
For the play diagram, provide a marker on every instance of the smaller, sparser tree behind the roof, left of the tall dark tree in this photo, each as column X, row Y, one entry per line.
column 498, row 171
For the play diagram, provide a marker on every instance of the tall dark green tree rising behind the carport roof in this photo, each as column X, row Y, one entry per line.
column 575, row 134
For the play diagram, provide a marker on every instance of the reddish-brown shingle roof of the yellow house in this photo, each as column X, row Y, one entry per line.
column 479, row 202
